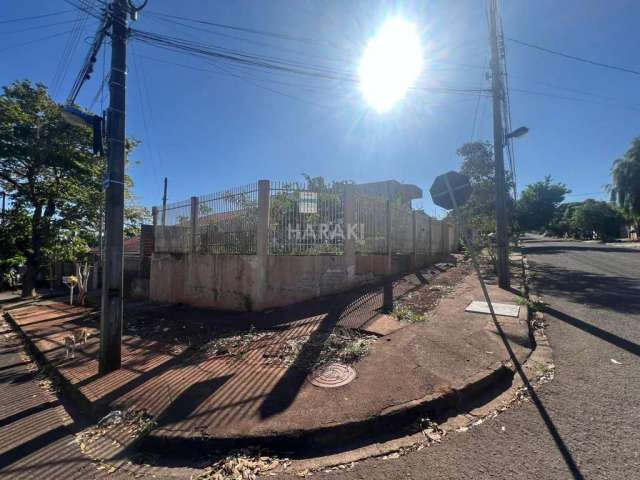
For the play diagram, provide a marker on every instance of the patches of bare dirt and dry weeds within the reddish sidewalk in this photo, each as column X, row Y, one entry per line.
column 211, row 333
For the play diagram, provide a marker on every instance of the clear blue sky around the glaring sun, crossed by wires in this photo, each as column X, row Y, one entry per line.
column 207, row 131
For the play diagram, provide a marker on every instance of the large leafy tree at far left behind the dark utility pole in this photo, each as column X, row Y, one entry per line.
column 49, row 170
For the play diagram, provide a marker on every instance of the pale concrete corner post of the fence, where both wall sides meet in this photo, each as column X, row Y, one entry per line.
column 262, row 243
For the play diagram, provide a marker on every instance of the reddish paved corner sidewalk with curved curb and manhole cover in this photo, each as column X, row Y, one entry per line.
column 231, row 400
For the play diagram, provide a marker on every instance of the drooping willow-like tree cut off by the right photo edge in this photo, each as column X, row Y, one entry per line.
column 625, row 187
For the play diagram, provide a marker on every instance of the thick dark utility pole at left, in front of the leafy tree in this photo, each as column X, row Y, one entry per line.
column 111, row 313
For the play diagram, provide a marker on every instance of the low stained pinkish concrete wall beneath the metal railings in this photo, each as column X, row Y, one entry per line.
column 230, row 281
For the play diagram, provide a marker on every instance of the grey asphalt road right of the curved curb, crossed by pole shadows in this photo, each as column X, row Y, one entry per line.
column 592, row 406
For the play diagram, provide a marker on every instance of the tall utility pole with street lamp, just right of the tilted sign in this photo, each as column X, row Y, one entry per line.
column 502, row 238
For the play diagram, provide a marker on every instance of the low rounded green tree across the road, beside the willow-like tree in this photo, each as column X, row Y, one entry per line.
column 598, row 218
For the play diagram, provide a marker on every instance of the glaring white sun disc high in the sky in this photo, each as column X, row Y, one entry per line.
column 390, row 64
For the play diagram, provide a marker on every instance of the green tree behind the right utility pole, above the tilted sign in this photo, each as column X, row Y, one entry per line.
column 479, row 165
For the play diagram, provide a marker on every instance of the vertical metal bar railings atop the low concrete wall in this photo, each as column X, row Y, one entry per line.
column 303, row 219
